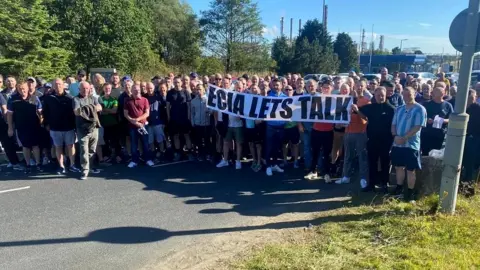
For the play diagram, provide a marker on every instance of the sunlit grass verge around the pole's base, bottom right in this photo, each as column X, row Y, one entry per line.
column 392, row 235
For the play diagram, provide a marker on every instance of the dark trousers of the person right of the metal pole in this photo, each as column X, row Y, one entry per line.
column 471, row 158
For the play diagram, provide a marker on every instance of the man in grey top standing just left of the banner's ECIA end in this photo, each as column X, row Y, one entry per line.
column 201, row 124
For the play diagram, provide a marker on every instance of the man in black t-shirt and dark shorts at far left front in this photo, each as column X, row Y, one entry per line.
column 24, row 116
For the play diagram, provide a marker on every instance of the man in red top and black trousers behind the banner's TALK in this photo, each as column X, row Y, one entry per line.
column 322, row 139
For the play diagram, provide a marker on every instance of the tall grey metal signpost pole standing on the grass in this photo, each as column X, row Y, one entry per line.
column 459, row 119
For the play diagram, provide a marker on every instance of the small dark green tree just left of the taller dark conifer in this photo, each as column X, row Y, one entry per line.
column 283, row 52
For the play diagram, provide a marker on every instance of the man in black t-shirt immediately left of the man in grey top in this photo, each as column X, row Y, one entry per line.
column 178, row 112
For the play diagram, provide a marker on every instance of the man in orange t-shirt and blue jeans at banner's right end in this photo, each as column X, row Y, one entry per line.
column 355, row 141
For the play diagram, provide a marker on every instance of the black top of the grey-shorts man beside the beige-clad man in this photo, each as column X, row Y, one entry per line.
column 58, row 112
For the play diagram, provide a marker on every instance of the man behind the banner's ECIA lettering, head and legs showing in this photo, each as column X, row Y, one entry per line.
column 234, row 133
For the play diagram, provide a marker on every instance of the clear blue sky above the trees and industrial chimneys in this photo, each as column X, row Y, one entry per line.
column 425, row 23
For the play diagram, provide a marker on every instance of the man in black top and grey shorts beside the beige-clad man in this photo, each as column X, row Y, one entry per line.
column 59, row 119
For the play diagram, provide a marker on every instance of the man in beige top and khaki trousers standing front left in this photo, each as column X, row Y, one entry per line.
column 87, row 129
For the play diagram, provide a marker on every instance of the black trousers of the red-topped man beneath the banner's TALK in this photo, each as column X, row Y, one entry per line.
column 322, row 141
